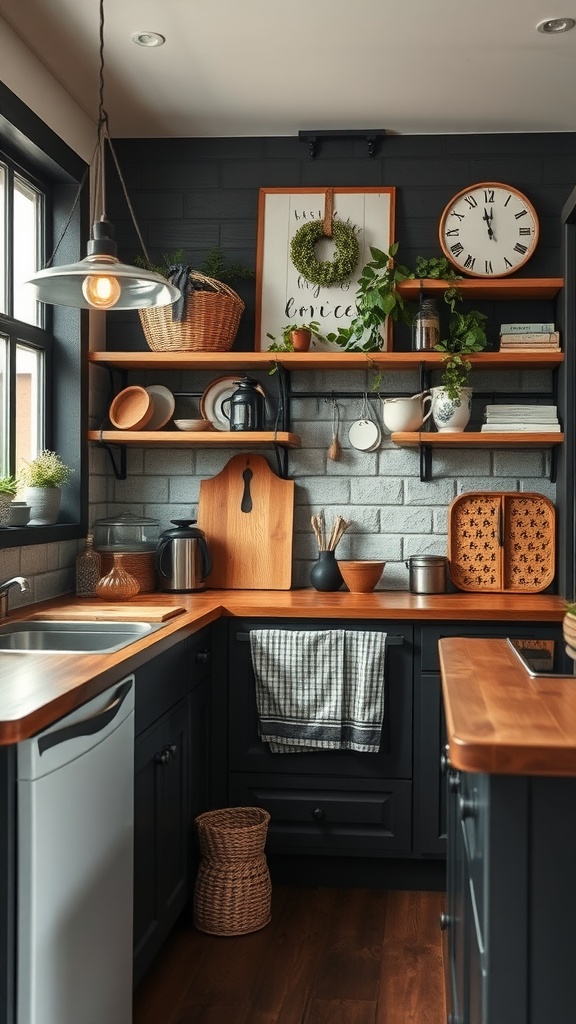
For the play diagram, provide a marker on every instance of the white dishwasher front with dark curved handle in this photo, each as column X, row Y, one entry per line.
column 75, row 823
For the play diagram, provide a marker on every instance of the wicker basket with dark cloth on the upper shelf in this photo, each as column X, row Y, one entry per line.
column 211, row 322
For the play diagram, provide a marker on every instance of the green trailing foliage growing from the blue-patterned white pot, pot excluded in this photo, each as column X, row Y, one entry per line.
column 467, row 336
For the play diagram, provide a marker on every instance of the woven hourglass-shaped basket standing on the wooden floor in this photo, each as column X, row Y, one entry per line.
column 232, row 894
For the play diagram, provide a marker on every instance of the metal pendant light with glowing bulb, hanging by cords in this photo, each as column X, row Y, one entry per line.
column 101, row 281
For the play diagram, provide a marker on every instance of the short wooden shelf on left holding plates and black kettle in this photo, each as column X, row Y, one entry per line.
column 185, row 439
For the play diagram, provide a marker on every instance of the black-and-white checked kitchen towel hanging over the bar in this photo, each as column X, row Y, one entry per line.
column 319, row 690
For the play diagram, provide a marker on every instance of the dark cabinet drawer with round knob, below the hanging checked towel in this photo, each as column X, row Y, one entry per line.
column 331, row 816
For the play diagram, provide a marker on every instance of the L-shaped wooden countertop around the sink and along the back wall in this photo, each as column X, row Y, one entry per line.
column 37, row 690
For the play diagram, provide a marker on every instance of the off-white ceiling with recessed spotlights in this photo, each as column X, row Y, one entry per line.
column 265, row 68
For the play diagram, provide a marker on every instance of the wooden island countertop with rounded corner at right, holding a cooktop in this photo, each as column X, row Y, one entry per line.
column 502, row 720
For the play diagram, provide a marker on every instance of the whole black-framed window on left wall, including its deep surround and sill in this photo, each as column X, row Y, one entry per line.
column 44, row 372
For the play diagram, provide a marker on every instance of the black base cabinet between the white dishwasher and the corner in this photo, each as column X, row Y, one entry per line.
column 171, row 788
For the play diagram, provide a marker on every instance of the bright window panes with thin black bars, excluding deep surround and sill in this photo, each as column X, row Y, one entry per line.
column 25, row 342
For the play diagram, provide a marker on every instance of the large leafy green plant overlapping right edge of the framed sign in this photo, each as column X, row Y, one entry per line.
column 377, row 300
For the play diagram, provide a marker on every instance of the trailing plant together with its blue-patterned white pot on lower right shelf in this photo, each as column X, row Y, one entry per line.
column 452, row 401
